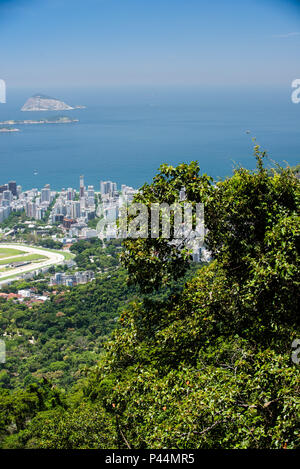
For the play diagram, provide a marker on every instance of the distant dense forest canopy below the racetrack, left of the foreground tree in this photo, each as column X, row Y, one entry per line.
column 68, row 331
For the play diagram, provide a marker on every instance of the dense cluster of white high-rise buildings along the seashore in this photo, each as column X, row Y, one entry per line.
column 67, row 205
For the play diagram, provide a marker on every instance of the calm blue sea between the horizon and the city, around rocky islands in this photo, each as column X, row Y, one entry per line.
column 124, row 134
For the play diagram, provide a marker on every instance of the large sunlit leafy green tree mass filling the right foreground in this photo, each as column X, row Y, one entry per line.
column 211, row 368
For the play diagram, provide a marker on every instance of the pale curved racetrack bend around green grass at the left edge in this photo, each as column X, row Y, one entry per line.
column 52, row 259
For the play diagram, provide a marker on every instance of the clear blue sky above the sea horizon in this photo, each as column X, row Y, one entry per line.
column 163, row 42
